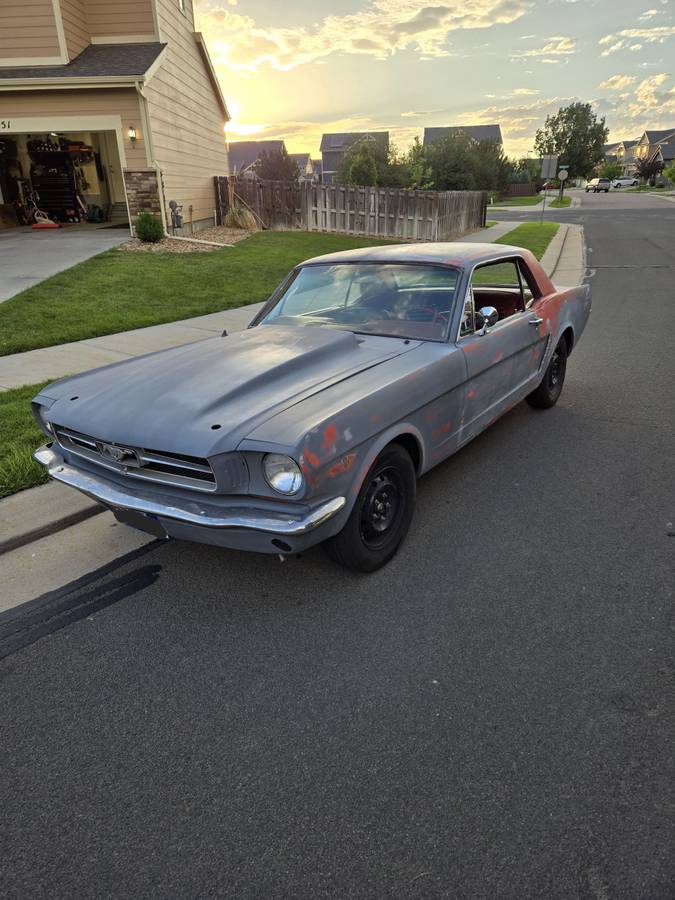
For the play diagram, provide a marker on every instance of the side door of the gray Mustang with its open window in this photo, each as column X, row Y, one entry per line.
column 502, row 360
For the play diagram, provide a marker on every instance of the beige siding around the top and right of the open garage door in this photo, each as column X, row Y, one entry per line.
column 66, row 103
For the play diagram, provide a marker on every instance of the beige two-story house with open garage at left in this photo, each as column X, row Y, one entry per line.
column 111, row 104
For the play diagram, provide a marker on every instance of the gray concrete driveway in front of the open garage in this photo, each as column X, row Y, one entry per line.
column 28, row 257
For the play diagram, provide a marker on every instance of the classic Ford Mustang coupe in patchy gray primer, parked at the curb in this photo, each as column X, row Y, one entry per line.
column 362, row 371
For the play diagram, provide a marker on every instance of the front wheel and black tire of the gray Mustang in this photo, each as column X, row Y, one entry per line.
column 381, row 516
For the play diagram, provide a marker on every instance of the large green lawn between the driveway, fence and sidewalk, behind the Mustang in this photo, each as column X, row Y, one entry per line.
column 117, row 291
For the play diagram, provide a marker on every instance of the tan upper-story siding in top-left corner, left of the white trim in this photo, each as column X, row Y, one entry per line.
column 28, row 29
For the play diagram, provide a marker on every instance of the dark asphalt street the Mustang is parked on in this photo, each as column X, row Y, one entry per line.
column 490, row 716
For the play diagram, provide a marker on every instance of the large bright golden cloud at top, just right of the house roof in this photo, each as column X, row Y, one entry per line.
column 380, row 29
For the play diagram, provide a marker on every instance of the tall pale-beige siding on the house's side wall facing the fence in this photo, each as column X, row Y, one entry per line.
column 185, row 116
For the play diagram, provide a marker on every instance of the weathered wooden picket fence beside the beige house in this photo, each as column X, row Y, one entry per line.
column 343, row 209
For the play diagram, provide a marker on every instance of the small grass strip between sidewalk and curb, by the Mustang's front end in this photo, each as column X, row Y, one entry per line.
column 19, row 436
